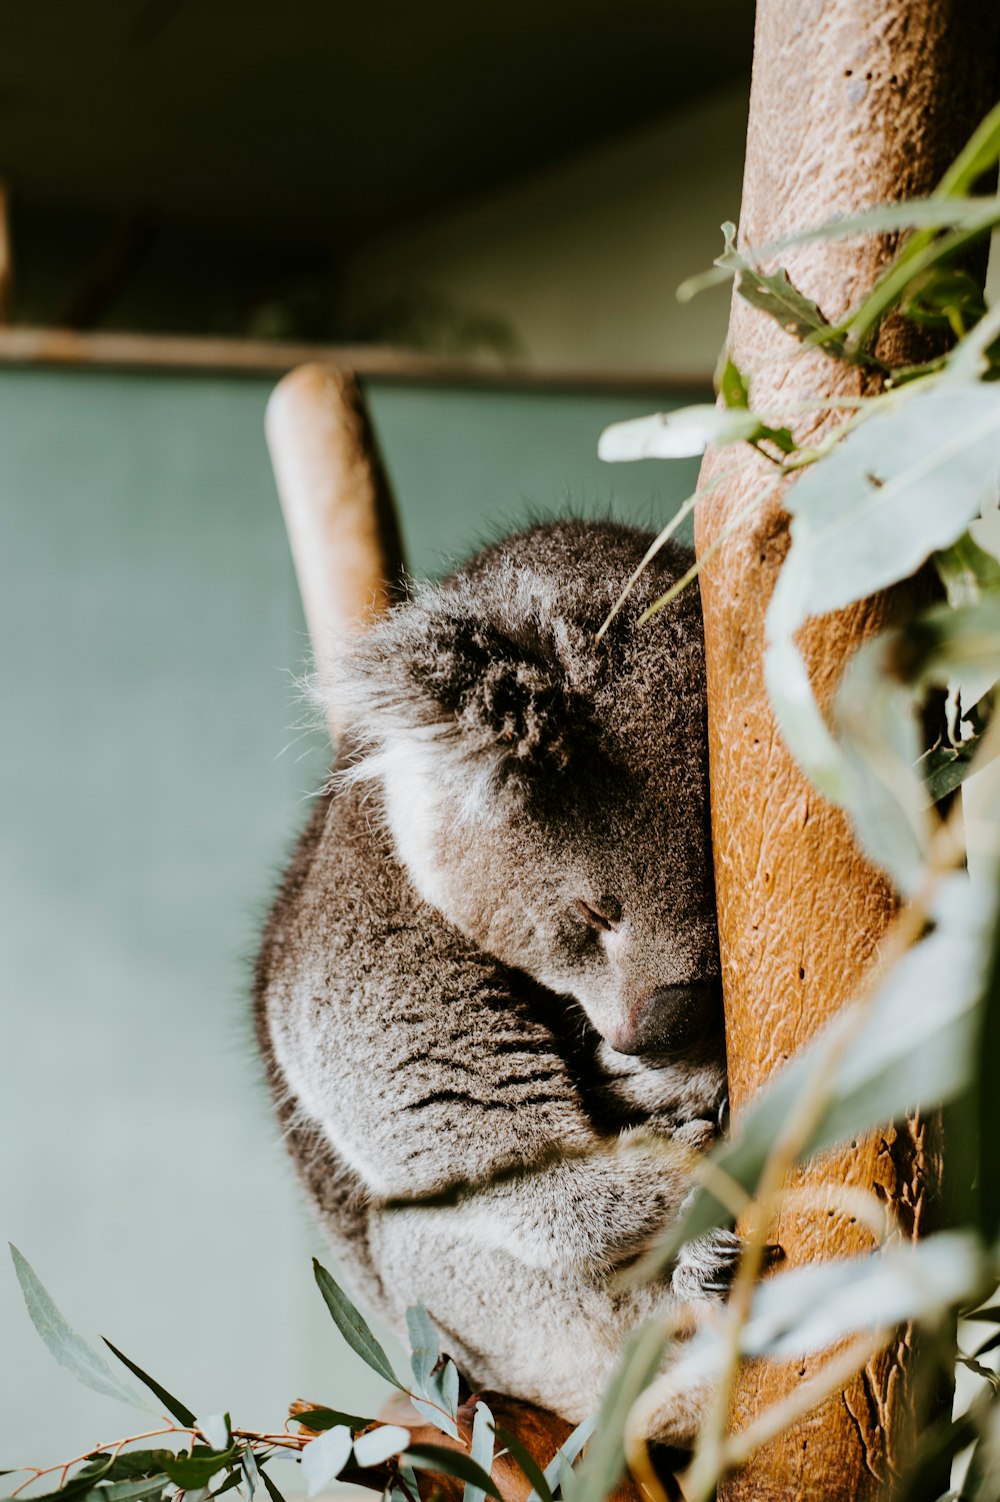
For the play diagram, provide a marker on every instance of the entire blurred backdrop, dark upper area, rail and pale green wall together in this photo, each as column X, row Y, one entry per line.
column 486, row 214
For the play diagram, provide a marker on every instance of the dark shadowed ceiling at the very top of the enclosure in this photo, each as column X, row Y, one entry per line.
column 322, row 122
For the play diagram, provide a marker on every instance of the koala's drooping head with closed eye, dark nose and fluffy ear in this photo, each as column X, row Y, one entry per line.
column 549, row 794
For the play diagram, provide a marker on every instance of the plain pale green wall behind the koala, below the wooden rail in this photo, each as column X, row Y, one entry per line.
column 152, row 785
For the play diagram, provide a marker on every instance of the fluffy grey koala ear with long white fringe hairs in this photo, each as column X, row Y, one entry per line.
column 475, row 687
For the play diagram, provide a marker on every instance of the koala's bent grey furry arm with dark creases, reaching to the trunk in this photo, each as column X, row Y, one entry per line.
column 465, row 1088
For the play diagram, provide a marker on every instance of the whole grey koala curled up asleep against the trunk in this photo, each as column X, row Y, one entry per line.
column 496, row 950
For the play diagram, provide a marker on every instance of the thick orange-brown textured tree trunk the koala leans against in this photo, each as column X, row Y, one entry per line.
column 854, row 103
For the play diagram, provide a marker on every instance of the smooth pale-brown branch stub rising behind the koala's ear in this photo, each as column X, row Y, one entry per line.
column 339, row 507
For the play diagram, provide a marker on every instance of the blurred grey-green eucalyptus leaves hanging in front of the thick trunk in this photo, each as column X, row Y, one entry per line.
column 909, row 480
